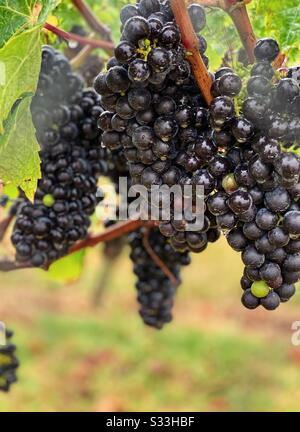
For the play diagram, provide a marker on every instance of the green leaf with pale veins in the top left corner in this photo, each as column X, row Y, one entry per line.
column 19, row 15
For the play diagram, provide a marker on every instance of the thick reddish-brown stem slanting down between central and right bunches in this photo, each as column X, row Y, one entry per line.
column 190, row 41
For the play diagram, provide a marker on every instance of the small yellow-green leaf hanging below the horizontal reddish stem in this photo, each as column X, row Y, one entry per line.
column 67, row 269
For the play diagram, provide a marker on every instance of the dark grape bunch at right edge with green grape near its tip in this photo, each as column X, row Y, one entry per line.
column 257, row 206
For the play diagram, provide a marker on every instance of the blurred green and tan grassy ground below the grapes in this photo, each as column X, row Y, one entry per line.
column 214, row 356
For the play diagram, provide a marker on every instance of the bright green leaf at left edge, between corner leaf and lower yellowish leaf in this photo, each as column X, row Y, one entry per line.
column 20, row 62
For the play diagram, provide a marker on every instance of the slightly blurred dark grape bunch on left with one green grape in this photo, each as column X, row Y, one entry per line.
column 65, row 116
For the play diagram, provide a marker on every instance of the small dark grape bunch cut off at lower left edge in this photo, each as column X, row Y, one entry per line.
column 8, row 363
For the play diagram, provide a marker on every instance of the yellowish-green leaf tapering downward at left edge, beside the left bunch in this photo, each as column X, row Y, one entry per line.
column 19, row 158
